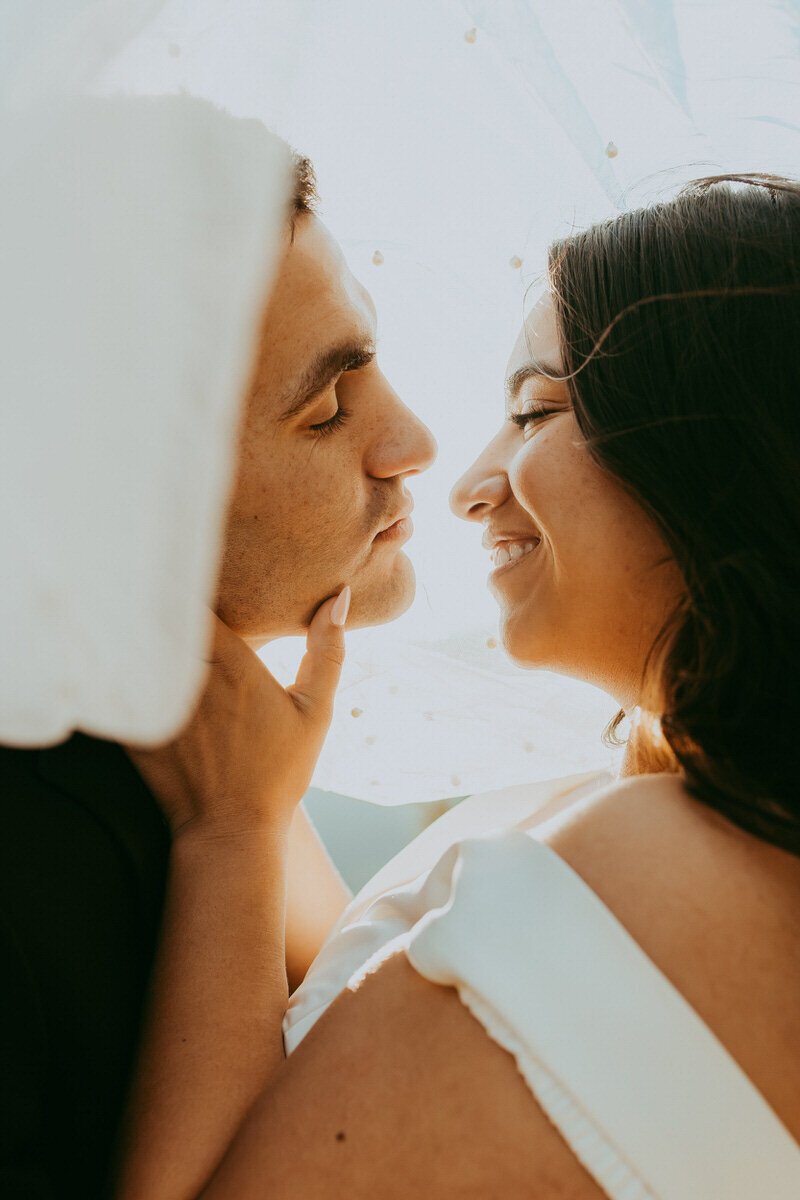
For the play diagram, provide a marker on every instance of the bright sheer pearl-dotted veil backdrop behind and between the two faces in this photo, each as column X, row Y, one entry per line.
column 455, row 140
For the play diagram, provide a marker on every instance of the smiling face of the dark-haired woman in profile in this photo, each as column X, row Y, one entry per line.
column 582, row 575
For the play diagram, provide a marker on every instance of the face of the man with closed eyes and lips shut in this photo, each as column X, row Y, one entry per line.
column 326, row 449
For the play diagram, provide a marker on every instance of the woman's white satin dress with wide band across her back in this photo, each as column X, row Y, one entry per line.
column 643, row 1093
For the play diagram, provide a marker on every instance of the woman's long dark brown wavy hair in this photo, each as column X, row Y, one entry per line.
column 681, row 331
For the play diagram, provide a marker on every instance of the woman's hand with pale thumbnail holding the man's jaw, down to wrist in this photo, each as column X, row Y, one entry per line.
column 248, row 755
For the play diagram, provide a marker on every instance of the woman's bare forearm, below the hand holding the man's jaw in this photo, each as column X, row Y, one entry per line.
column 218, row 1001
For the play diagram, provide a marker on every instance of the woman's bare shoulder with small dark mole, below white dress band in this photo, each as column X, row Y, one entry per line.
column 400, row 1091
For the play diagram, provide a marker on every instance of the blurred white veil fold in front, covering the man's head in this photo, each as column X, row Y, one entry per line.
column 136, row 245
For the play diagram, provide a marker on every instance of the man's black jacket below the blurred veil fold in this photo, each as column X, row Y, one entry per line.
column 83, row 867
